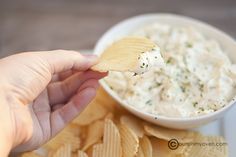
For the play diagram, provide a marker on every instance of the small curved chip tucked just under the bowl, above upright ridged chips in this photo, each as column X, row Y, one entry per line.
column 133, row 124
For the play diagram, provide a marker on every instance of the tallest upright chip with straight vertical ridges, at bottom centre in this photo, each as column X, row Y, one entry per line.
column 111, row 146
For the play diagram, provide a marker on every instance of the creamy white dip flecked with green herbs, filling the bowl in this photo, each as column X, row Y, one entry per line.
column 198, row 77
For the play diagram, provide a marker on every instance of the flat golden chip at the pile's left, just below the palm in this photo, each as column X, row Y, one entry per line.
column 69, row 134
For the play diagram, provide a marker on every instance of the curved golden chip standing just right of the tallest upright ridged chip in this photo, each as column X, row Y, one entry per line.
column 129, row 141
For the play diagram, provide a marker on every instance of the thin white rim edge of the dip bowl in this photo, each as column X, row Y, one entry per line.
column 145, row 113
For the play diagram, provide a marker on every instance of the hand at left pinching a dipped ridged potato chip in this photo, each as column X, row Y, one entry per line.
column 41, row 92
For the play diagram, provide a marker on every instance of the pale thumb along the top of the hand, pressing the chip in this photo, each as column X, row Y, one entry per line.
column 63, row 60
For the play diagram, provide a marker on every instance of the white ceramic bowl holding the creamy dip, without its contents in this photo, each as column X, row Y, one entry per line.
column 125, row 27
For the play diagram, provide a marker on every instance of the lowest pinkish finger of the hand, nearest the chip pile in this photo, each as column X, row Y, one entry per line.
column 68, row 112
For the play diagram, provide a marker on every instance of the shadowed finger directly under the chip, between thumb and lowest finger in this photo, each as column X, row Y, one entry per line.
column 60, row 92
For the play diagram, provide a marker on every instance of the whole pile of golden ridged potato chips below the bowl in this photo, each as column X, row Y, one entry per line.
column 104, row 129
